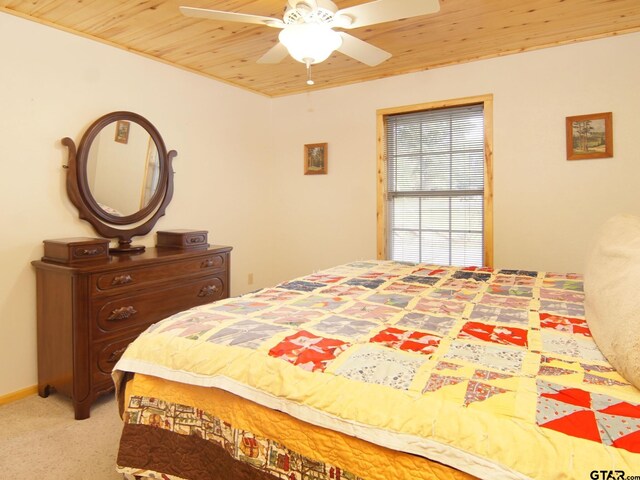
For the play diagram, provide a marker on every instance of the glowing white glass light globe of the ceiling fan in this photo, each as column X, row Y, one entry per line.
column 310, row 42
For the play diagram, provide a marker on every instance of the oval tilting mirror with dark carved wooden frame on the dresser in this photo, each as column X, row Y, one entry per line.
column 120, row 177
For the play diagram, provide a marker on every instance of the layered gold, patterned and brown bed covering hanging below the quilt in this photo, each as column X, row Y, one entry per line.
column 176, row 431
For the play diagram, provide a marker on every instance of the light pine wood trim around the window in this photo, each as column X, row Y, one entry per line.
column 487, row 101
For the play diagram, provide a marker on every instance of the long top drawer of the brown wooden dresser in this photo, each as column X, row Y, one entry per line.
column 133, row 278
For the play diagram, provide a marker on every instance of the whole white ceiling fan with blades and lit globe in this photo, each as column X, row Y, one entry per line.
column 307, row 28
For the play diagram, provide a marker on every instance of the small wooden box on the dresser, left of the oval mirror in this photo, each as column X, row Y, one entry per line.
column 75, row 250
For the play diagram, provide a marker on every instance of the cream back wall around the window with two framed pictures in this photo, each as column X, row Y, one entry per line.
column 547, row 209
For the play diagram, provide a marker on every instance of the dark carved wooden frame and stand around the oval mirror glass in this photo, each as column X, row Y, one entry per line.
column 140, row 222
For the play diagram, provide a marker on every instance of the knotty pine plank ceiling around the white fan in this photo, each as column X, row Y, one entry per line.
column 463, row 30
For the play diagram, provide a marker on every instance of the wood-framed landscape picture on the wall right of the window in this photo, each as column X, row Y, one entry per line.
column 590, row 136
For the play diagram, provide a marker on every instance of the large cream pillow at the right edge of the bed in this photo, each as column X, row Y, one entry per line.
column 612, row 294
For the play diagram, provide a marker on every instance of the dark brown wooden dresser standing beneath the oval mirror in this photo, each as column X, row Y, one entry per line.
column 90, row 310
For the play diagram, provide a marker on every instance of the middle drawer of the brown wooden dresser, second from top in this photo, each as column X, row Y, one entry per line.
column 141, row 309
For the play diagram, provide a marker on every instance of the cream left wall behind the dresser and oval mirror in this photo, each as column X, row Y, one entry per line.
column 53, row 85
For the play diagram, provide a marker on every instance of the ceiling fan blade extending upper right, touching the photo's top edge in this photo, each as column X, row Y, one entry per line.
column 380, row 11
